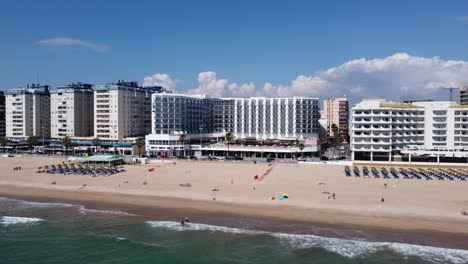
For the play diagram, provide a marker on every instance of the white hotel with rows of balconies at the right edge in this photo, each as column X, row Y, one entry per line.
column 418, row 130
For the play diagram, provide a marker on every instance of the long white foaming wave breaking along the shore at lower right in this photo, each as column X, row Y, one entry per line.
column 345, row 247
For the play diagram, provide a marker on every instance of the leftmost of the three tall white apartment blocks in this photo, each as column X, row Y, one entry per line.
column 28, row 112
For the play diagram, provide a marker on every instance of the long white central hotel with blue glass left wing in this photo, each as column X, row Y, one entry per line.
column 258, row 124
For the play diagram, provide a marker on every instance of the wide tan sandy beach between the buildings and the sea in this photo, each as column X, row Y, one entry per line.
column 413, row 205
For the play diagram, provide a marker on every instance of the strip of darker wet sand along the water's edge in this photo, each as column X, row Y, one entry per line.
column 173, row 209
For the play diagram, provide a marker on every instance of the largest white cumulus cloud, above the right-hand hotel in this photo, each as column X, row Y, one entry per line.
column 397, row 77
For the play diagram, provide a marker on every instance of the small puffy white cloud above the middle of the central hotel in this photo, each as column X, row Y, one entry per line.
column 209, row 84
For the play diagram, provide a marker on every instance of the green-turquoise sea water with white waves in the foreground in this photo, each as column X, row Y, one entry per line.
column 32, row 232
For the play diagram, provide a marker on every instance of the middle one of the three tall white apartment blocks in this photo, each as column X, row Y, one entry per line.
column 72, row 111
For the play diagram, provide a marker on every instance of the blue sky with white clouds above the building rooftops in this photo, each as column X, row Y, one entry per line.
column 243, row 42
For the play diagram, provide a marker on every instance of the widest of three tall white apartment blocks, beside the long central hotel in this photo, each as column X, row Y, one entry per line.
column 122, row 110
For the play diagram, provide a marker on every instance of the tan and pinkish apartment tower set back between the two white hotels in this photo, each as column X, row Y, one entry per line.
column 336, row 111
